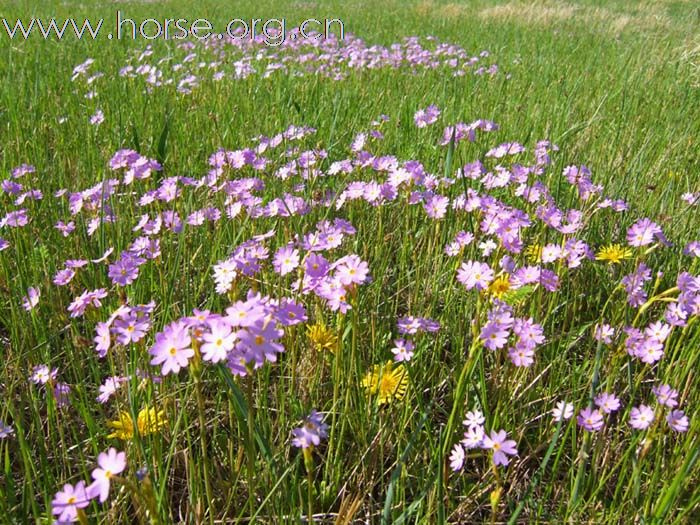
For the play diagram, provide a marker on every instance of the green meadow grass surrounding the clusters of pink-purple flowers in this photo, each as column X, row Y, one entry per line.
column 613, row 84
